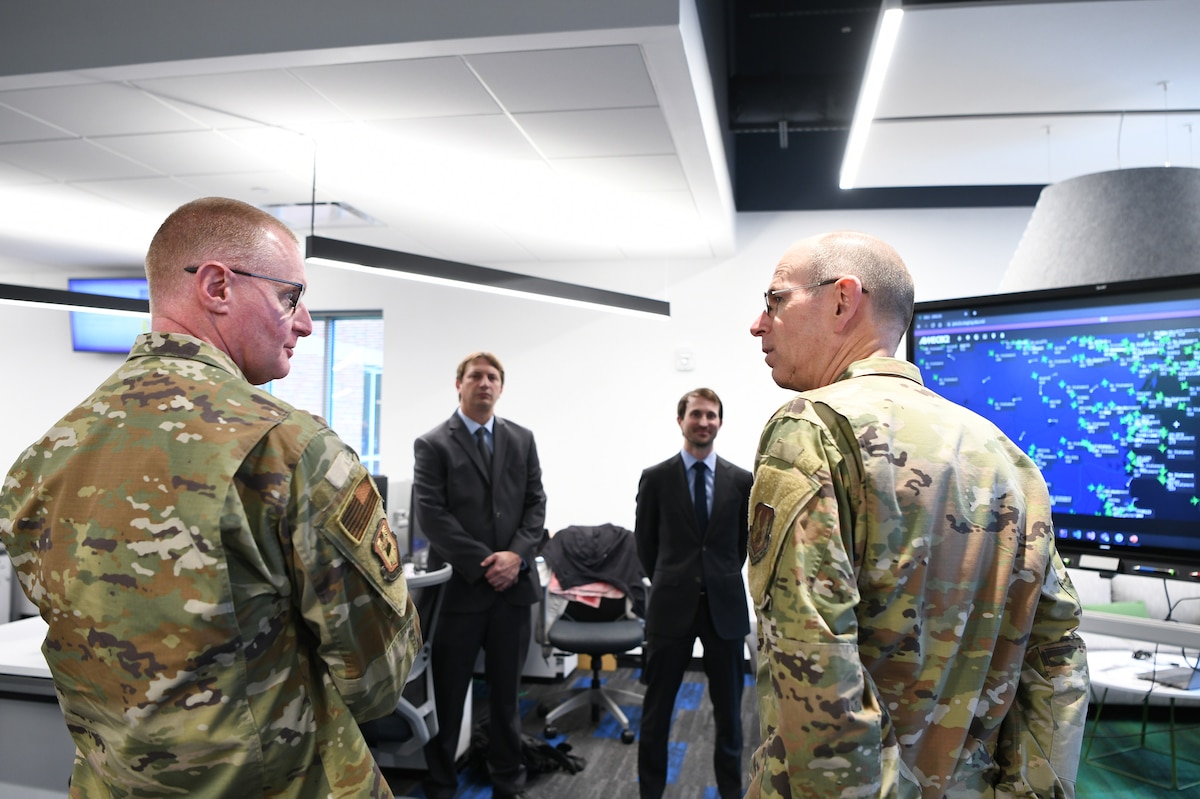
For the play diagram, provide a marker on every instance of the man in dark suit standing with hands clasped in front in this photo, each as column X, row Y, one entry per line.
column 477, row 486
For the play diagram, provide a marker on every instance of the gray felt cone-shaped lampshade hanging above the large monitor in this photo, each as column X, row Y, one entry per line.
column 1111, row 226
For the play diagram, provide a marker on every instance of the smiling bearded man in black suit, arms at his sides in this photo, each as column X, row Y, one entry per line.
column 692, row 538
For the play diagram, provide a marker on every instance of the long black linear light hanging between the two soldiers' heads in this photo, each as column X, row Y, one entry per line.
column 377, row 261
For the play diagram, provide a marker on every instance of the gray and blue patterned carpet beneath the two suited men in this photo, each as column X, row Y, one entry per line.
column 611, row 767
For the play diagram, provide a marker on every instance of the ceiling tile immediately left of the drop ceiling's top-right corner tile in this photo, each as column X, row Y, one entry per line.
column 442, row 87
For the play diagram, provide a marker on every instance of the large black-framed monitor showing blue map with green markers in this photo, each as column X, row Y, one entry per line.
column 1101, row 387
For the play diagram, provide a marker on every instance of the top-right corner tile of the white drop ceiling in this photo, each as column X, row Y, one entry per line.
column 590, row 77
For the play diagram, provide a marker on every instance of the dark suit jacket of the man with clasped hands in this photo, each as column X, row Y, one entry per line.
column 469, row 514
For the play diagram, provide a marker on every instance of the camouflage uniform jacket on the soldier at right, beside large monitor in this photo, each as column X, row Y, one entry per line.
column 917, row 629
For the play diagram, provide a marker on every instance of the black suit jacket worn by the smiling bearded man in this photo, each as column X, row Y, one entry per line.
column 681, row 561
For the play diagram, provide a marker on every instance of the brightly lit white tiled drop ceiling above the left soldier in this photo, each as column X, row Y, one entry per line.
column 517, row 148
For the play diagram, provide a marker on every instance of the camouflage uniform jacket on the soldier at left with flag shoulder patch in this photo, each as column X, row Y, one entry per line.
column 223, row 591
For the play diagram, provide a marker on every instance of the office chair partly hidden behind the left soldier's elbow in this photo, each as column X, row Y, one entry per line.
column 398, row 741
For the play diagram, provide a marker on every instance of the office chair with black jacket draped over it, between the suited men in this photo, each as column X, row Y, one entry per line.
column 609, row 629
